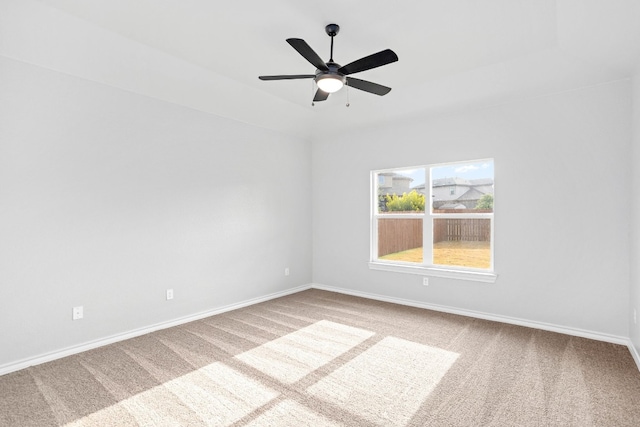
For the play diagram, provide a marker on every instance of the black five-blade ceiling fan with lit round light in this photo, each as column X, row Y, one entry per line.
column 330, row 76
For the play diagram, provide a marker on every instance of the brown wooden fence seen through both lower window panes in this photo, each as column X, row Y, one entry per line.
column 401, row 234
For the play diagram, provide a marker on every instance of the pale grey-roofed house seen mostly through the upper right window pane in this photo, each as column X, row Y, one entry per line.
column 458, row 193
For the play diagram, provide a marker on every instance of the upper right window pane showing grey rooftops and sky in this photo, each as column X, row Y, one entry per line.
column 462, row 187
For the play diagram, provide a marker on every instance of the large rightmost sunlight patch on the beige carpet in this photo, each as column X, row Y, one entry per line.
column 387, row 383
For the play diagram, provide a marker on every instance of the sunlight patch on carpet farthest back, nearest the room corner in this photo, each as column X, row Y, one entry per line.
column 295, row 355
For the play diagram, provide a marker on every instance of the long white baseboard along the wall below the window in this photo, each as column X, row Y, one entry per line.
column 486, row 316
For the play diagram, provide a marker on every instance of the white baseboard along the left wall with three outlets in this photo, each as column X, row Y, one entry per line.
column 58, row 354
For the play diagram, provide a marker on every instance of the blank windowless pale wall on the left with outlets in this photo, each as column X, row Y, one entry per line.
column 108, row 198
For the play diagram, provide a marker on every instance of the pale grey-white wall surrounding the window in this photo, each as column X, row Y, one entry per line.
column 563, row 196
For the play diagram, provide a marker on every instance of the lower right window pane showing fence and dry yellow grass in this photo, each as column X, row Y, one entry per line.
column 463, row 242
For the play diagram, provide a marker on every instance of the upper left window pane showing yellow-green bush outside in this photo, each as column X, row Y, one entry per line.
column 401, row 191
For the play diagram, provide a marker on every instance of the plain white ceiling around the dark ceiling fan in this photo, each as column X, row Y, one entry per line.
column 454, row 54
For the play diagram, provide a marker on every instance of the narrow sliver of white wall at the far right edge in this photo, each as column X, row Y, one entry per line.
column 634, row 328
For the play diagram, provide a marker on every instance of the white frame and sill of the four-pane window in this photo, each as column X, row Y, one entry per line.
column 426, row 268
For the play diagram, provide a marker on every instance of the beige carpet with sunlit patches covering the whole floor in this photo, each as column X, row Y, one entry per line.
column 317, row 358
